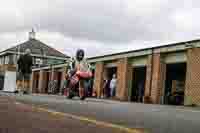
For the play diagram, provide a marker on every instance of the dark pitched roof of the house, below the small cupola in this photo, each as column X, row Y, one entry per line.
column 37, row 47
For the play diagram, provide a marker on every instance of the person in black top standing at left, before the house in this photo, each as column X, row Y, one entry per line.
column 24, row 71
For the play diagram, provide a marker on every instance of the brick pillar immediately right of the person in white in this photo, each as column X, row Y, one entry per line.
column 124, row 75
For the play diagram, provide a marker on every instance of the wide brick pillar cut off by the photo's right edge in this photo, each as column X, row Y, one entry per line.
column 192, row 88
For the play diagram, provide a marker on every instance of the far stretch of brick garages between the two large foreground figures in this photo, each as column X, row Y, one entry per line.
column 41, row 78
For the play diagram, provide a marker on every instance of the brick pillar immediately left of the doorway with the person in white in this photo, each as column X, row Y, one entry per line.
column 98, row 78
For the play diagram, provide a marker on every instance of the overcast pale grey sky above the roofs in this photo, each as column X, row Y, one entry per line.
column 99, row 26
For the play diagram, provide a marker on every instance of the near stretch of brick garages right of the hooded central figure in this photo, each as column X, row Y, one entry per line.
column 160, row 70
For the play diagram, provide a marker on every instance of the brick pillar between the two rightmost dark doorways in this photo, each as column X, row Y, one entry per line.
column 158, row 78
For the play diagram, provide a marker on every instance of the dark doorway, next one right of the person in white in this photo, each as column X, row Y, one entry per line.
column 138, row 84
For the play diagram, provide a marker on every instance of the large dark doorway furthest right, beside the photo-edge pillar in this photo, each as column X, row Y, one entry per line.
column 175, row 83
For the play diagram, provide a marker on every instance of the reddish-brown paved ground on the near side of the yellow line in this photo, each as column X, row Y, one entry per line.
column 20, row 118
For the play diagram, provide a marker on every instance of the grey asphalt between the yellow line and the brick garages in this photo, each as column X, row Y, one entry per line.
column 157, row 119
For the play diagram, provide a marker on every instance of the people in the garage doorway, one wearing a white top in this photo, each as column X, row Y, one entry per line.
column 110, row 86
